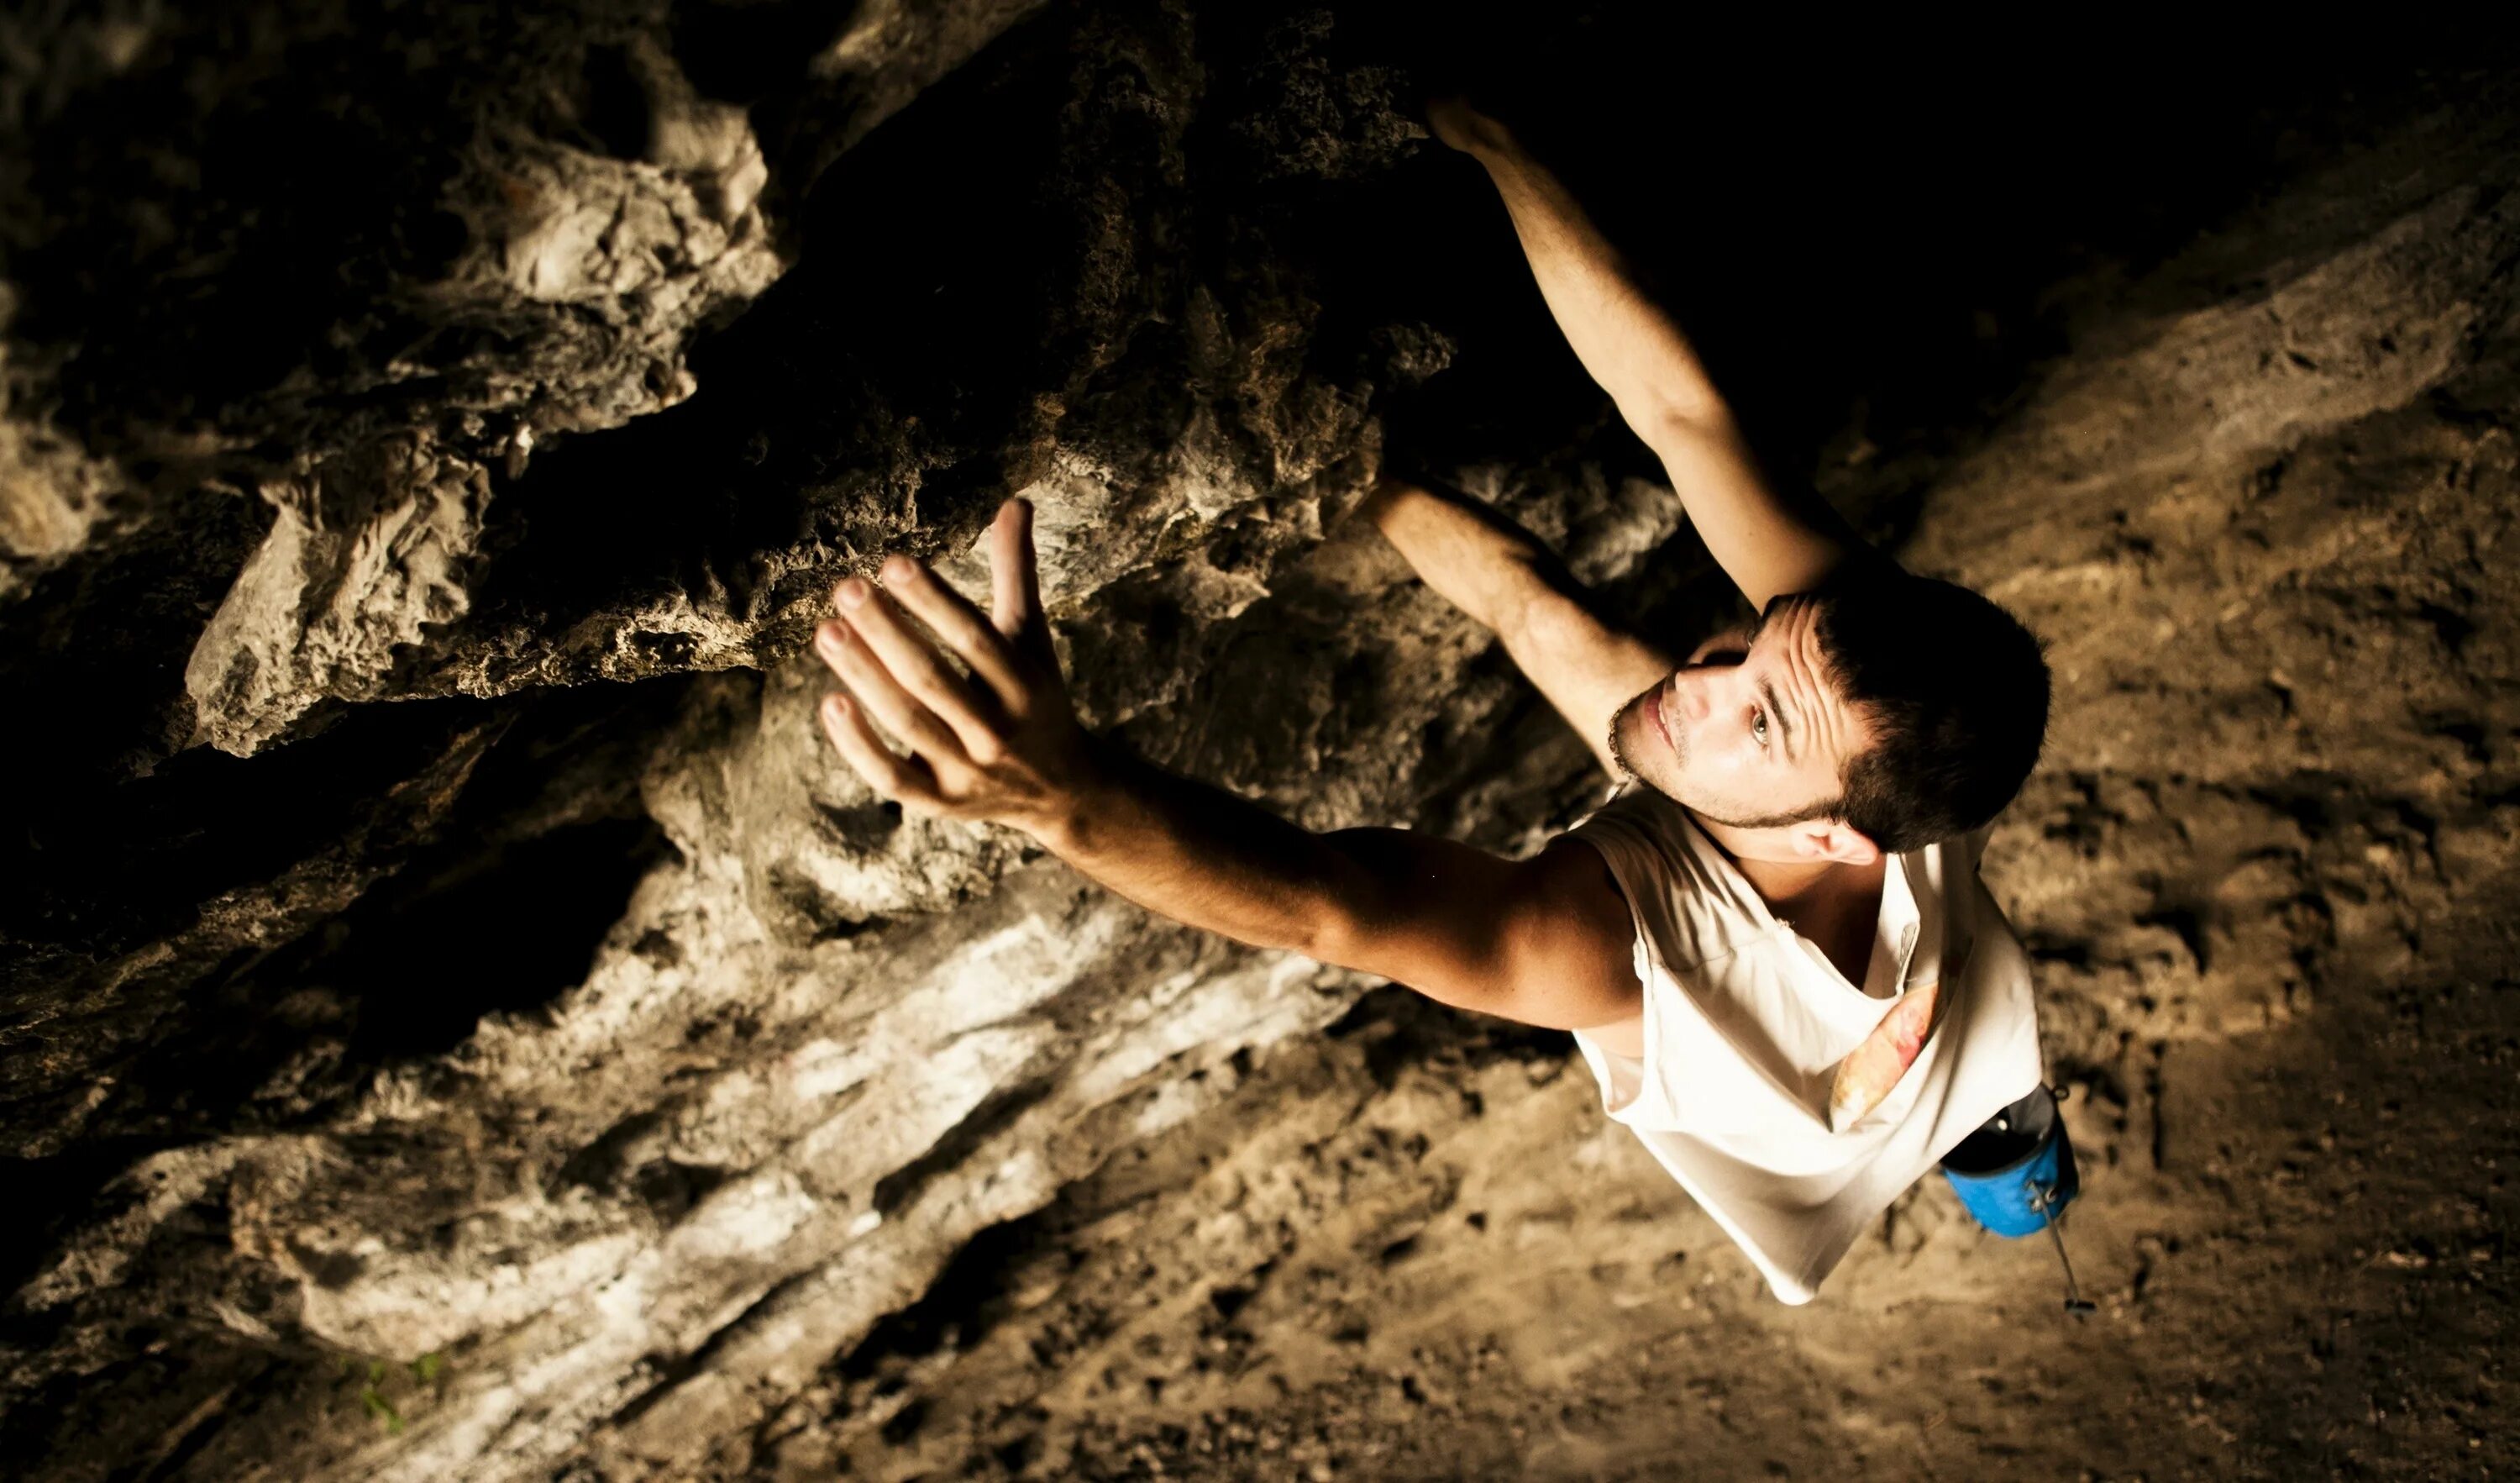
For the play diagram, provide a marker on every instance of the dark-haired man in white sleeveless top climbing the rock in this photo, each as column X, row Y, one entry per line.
column 1773, row 945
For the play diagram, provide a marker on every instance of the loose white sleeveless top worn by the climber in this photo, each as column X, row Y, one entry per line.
column 1748, row 1023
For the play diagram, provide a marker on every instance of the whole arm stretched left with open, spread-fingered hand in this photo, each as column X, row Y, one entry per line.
column 1543, row 942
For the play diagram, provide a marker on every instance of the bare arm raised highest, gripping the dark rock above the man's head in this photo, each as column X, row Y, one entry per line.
column 1765, row 541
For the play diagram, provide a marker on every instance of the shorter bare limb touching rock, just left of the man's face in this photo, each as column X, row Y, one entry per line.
column 1501, row 576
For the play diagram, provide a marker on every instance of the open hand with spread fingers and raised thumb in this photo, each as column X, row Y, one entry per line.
column 1002, row 745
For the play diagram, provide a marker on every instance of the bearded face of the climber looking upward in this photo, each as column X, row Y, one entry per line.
column 1750, row 733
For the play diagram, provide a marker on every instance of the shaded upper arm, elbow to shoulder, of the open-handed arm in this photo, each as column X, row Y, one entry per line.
column 1543, row 942
